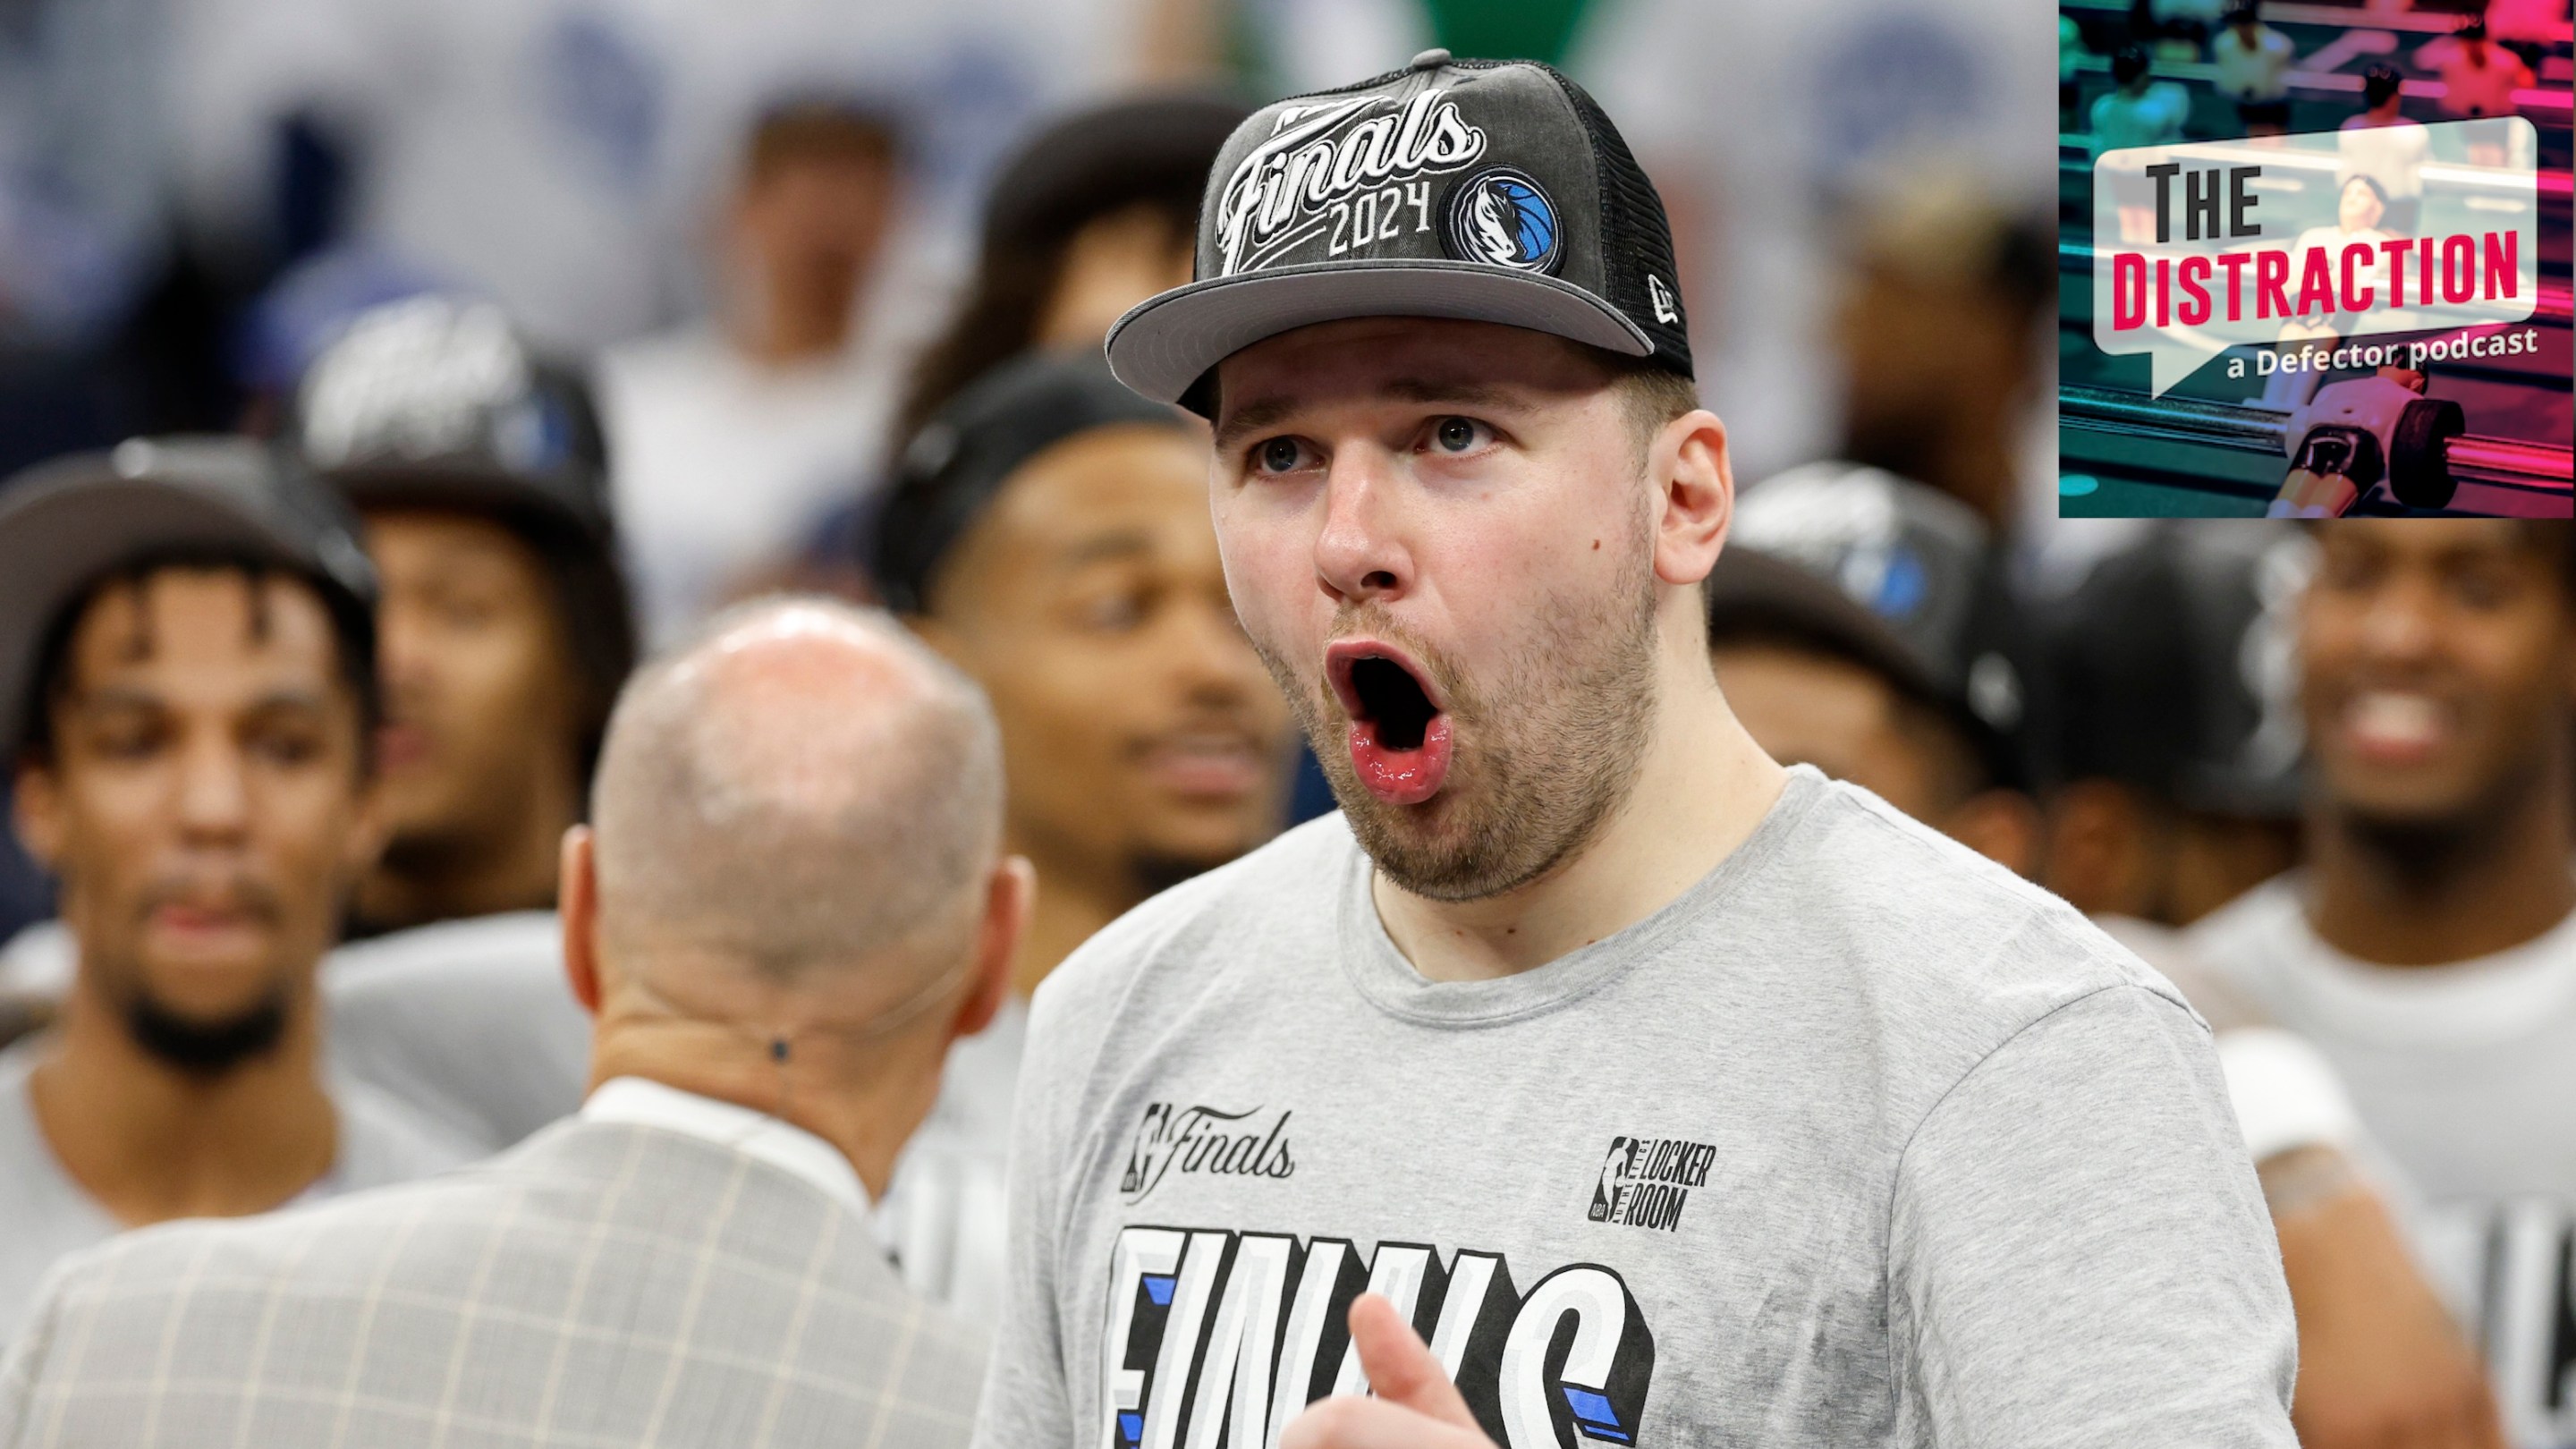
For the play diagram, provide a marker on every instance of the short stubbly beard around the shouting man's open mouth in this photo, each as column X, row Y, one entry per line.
column 1542, row 762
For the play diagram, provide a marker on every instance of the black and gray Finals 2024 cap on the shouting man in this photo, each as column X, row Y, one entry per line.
column 1495, row 192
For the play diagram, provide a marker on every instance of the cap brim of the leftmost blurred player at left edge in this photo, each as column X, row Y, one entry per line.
column 61, row 538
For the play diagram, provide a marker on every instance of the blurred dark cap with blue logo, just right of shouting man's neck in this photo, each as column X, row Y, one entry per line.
column 1889, row 576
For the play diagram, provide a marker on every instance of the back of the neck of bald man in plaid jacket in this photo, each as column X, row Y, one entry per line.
column 867, row 1105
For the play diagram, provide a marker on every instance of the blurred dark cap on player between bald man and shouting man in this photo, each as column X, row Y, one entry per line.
column 970, row 450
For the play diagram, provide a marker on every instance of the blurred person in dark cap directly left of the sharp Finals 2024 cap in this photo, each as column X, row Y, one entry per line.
column 1086, row 220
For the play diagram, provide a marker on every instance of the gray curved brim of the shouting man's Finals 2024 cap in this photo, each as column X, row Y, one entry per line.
column 1171, row 342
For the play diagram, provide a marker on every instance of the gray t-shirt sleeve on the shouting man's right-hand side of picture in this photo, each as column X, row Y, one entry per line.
column 2080, row 1254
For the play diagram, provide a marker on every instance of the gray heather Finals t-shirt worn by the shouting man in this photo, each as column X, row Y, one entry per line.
column 1861, row 1141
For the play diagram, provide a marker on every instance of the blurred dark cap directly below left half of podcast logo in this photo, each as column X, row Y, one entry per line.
column 2173, row 672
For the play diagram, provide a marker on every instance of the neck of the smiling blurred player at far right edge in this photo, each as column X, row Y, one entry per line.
column 2448, row 893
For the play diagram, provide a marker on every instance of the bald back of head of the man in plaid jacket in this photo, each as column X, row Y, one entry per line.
column 797, row 790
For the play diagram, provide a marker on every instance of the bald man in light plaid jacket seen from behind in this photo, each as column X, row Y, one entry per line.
column 790, row 904
